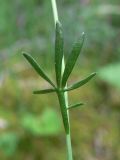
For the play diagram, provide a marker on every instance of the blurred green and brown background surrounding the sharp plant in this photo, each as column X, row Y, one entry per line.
column 31, row 126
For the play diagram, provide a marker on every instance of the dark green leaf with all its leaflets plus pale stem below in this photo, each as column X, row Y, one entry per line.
column 63, row 72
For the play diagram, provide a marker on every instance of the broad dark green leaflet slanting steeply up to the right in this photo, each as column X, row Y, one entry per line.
column 72, row 59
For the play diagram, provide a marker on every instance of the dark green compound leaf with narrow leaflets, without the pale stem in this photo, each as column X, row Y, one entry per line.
column 58, row 68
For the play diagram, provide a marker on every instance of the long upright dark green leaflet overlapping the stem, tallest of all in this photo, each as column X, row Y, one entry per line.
column 58, row 52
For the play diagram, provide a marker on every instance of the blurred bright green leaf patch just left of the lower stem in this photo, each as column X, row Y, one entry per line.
column 46, row 124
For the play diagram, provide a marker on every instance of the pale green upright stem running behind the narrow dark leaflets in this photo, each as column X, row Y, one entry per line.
column 68, row 136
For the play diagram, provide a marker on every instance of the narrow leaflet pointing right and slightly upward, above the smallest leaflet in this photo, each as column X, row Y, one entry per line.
column 80, row 83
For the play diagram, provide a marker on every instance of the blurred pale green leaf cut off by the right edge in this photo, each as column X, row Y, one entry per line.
column 111, row 74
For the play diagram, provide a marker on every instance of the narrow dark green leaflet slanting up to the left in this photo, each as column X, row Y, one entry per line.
column 37, row 68
